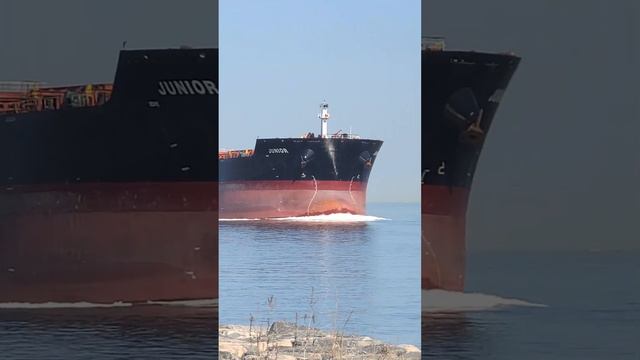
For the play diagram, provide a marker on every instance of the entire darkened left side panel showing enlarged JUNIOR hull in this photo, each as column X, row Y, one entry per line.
column 108, row 219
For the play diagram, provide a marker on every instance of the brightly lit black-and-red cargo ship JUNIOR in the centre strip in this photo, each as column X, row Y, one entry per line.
column 290, row 177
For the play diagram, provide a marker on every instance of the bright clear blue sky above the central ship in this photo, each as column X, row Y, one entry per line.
column 279, row 59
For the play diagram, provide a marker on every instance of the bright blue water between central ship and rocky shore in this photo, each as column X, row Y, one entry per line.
column 363, row 277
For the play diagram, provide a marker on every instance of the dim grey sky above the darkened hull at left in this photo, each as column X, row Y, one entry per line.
column 77, row 41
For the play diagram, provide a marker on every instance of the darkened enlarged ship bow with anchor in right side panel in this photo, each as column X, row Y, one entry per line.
column 461, row 92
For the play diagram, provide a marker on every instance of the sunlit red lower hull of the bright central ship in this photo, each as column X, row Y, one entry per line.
column 277, row 199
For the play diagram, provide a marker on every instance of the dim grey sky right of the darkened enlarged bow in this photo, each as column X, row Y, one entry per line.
column 561, row 166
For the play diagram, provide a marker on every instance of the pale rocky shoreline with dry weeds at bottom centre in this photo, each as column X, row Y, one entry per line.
column 287, row 341
